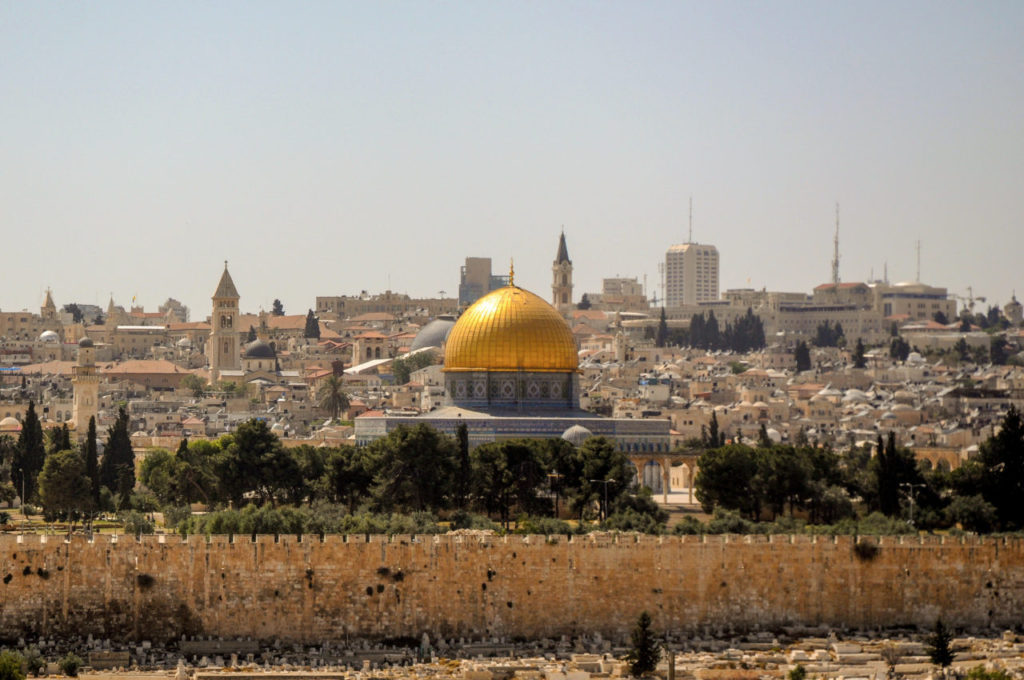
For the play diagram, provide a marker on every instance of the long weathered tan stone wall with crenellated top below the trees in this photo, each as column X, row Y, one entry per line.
column 344, row 587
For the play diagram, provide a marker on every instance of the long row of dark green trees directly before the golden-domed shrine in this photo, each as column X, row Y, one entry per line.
column 413, row 472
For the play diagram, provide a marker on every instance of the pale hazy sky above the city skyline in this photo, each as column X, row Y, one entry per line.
column 327, row 148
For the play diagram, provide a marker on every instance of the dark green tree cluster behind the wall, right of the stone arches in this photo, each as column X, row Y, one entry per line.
column 824, row 487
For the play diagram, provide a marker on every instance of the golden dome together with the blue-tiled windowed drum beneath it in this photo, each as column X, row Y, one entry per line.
column 511, row 350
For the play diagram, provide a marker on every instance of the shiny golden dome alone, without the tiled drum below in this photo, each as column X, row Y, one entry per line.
column 511, row 330
